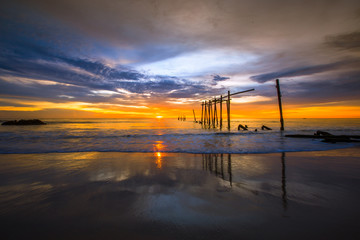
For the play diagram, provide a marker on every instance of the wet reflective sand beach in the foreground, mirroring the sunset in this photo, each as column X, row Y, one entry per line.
column 93, row 195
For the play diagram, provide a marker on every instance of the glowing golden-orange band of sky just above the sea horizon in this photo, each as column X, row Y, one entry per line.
column 37, row 108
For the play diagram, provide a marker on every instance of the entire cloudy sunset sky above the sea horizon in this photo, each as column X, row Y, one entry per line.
column 149, row 58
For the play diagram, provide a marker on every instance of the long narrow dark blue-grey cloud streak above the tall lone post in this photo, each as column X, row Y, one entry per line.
column 306, row 70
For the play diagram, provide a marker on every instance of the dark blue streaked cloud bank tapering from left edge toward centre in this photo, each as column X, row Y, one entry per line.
column 27, row 69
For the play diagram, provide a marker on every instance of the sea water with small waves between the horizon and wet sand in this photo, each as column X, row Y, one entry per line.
column 171, row 135
